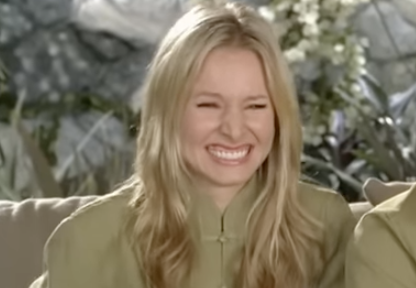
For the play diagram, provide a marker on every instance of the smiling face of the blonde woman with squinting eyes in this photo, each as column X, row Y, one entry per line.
column 228, row 125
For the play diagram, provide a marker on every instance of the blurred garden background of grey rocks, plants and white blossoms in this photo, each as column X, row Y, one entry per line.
column 69, row 70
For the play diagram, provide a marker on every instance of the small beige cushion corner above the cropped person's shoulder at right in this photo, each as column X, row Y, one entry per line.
column 377, row 191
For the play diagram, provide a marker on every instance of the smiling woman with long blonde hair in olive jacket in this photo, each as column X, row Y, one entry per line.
column 215, row 200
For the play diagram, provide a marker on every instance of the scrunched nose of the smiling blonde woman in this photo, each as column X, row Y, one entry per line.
column 232, row 124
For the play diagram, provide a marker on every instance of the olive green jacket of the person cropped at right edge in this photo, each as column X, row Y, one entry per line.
column 382, row 253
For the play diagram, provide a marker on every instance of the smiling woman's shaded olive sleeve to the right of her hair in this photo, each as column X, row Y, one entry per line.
column 339, row 226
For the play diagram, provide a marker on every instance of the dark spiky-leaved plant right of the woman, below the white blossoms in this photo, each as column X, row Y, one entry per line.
column 379, row 144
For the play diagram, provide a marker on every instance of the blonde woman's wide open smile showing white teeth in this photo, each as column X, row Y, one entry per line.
column 229, row 156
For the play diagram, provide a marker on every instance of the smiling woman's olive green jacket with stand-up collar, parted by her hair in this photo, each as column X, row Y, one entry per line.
column 91, row 250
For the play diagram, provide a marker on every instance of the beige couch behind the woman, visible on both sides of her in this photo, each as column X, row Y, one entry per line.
column 25, row 226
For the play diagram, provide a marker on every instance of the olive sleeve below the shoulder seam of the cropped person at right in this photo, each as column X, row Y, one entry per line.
column 377, row 258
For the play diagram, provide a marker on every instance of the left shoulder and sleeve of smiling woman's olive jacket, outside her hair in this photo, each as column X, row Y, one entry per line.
column 90, row 247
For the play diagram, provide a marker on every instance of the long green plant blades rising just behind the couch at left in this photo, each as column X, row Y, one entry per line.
column 53, row 181
